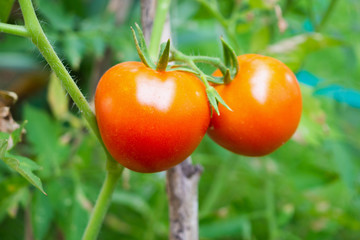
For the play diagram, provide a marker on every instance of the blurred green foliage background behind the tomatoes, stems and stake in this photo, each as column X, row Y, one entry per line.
column 308, row 189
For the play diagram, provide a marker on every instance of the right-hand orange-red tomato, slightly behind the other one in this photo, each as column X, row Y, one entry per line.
column 266, row 101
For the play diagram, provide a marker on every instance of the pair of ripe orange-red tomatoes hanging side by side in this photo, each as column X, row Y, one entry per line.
column 151, row 121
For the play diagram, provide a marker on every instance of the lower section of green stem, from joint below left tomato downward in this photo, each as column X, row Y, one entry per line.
column 102, row 203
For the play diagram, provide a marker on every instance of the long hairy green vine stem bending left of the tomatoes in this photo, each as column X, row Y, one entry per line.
column 114, row 170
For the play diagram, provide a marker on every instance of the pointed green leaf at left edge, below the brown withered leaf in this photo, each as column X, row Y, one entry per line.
column 25, row 167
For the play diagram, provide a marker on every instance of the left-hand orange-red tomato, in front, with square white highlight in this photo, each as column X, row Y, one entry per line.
column 150, row 121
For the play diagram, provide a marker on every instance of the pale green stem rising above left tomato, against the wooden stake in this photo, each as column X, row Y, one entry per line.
column 162, row 9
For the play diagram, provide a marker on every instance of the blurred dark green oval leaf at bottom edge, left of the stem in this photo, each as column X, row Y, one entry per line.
column 41, row 215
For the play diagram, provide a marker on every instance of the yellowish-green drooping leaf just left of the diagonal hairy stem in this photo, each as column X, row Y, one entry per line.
column 57, row 98
